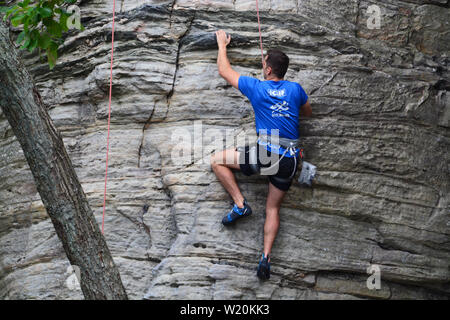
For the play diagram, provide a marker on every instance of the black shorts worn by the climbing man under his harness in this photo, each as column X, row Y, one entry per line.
column 287, row 166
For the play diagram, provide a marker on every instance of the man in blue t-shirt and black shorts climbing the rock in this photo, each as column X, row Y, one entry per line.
column 277, row 104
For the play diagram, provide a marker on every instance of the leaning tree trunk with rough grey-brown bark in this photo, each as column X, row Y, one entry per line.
column 56, row 180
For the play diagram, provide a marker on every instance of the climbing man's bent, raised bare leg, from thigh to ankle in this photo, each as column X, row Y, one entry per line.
column 222, row 163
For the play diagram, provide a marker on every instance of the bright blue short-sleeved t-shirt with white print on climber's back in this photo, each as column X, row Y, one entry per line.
column 276, row 105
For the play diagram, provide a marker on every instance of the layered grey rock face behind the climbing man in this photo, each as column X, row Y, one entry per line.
column 379, row 135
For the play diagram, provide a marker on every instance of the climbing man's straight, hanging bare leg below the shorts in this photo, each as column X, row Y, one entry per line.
column 274, row 198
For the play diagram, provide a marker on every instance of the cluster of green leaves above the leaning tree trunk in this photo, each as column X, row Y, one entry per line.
column 43, row 24
